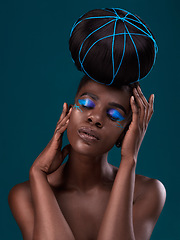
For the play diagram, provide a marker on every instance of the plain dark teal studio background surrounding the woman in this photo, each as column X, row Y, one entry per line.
column 37, row 76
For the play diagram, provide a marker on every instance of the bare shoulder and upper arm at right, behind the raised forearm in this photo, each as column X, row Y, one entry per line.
column 149, row 202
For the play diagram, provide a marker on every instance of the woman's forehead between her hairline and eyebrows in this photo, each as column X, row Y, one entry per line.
column 107, row 94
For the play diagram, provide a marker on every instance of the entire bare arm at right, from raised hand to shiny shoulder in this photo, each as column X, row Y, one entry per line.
column 122, row 221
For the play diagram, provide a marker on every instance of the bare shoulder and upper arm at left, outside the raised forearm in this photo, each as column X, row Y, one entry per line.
column 20, row 203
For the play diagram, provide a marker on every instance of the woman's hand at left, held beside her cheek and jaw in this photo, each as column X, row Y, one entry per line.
column 51, row 157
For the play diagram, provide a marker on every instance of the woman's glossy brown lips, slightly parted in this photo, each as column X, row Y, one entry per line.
column 84, row 131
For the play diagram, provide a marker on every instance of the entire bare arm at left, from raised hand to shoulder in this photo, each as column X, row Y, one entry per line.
column 34, row 205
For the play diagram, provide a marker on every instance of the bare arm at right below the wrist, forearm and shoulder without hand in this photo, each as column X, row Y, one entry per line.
column 122, row 219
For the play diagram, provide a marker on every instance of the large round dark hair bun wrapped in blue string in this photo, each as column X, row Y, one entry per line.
column 91, row 50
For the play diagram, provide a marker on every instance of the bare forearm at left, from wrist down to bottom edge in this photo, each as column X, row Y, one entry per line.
column 49, row 222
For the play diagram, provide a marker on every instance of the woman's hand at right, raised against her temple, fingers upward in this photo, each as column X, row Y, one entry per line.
column 141, row 114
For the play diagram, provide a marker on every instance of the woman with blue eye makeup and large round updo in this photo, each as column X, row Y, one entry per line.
column 88, row 198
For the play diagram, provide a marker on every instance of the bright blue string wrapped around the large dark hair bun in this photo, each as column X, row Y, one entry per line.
column 126, row 19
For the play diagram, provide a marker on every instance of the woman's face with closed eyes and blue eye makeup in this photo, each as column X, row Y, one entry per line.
column 98, row 118
